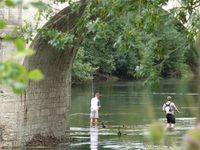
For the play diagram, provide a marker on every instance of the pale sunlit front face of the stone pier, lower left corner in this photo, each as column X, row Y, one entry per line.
column 9, row 115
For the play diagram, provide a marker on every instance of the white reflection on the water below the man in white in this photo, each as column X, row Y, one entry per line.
column 94, row 138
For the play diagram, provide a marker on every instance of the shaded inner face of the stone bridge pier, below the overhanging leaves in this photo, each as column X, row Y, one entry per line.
column 46, row 104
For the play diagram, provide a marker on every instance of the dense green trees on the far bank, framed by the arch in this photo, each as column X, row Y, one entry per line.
column 121, row 47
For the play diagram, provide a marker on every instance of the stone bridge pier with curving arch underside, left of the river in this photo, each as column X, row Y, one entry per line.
column 44, row 108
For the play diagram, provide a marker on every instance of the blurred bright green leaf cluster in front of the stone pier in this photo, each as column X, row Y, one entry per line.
column 15, row 75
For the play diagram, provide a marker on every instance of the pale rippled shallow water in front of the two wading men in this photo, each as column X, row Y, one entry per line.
column 132, row 137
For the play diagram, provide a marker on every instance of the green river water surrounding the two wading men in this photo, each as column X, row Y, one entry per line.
column 129, row 109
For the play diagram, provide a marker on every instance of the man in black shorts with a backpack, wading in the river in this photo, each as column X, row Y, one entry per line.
column 169, row 107
